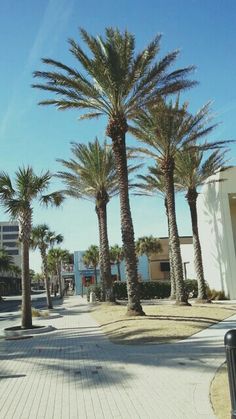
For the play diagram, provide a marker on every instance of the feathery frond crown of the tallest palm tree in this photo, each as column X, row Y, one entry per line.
column 115, row 82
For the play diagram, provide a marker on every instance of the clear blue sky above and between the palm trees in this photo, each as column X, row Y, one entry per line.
column 203, row 30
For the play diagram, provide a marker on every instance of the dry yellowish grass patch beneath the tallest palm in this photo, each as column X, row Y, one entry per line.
column 162, row 323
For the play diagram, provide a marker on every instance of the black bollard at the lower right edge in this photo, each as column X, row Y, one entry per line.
column 230, row 348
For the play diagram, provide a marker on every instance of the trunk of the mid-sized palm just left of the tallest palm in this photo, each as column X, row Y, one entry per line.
column 104, row 247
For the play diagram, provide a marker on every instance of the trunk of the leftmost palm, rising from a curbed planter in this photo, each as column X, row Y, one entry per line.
column 26, row 321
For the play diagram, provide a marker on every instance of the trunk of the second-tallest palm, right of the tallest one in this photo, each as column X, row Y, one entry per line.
column 181, row 295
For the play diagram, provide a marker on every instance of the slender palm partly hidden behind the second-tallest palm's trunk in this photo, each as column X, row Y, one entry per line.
column 153, row 184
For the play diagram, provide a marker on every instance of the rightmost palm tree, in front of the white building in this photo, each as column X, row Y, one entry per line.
column 193, row 171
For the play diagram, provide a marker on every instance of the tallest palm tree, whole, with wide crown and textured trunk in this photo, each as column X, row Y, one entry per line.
column 116, row 83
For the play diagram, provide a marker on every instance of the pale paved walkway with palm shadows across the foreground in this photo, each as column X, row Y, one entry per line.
column 76, row 372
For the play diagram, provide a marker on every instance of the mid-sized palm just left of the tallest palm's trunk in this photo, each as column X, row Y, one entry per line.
column 92, row 175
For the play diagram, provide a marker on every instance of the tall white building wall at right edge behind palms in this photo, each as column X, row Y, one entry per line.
column 217, row 229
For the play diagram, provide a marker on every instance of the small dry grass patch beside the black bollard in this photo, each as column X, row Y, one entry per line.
column 220, row 397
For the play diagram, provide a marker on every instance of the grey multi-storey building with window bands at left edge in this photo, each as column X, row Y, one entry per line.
column 9, row 239
